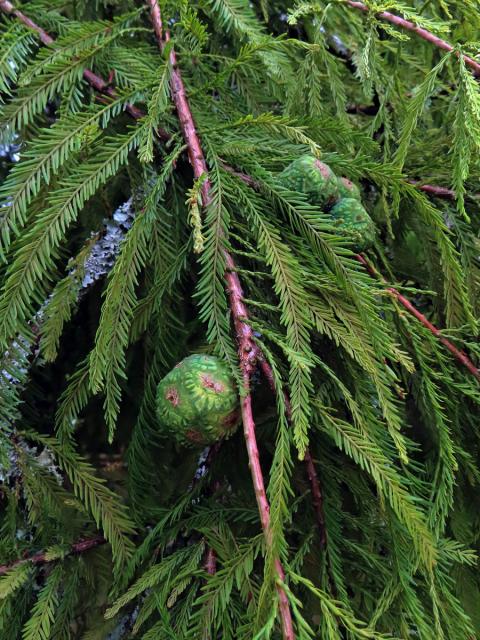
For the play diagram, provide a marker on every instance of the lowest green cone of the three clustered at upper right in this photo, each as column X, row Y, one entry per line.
column 353, row 221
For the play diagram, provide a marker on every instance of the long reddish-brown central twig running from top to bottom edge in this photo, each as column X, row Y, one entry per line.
column 246, row 347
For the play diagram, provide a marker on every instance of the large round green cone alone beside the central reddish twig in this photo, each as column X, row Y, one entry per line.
column 197, row 402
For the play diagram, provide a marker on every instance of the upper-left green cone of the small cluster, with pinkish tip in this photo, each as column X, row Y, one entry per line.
column 315, row 179
